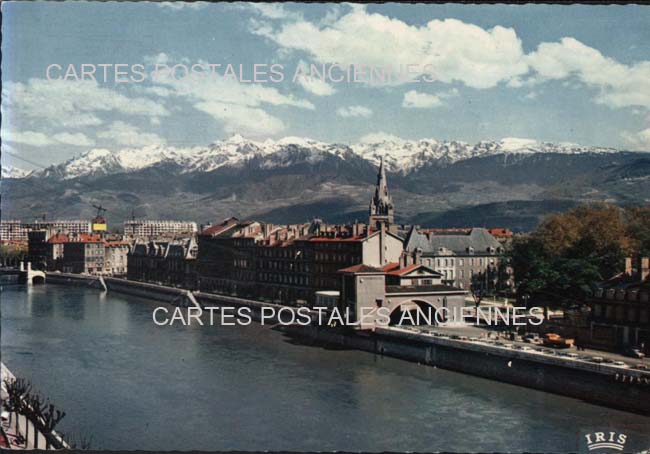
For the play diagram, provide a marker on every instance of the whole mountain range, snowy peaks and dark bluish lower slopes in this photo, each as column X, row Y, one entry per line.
column 507, row 183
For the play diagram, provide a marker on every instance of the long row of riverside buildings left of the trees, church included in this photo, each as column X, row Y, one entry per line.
column 373, row 264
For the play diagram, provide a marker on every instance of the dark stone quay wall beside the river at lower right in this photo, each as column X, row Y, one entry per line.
column 595, row 383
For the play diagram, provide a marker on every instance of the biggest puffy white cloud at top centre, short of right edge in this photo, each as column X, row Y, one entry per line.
column 455, row 51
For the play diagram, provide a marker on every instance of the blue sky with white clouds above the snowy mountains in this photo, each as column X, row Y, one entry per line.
column 578, row 73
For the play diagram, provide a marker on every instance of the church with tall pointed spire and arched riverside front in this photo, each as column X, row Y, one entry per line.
column 392, row 283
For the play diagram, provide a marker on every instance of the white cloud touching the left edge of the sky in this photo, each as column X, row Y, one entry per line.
column 71, row 104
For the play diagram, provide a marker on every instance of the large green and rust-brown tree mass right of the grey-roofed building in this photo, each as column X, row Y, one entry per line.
column 570, row 252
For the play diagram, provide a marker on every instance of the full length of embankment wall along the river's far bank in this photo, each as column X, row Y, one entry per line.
column 603, row 384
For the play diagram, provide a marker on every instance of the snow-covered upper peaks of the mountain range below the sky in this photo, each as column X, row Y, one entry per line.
column 400, row 156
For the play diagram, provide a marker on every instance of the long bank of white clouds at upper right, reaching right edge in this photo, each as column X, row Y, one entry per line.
column 458, row 51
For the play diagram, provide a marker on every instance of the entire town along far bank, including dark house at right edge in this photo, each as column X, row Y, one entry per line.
column 356, row 265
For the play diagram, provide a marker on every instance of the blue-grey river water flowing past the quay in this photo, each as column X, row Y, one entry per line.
column 128, row 383
